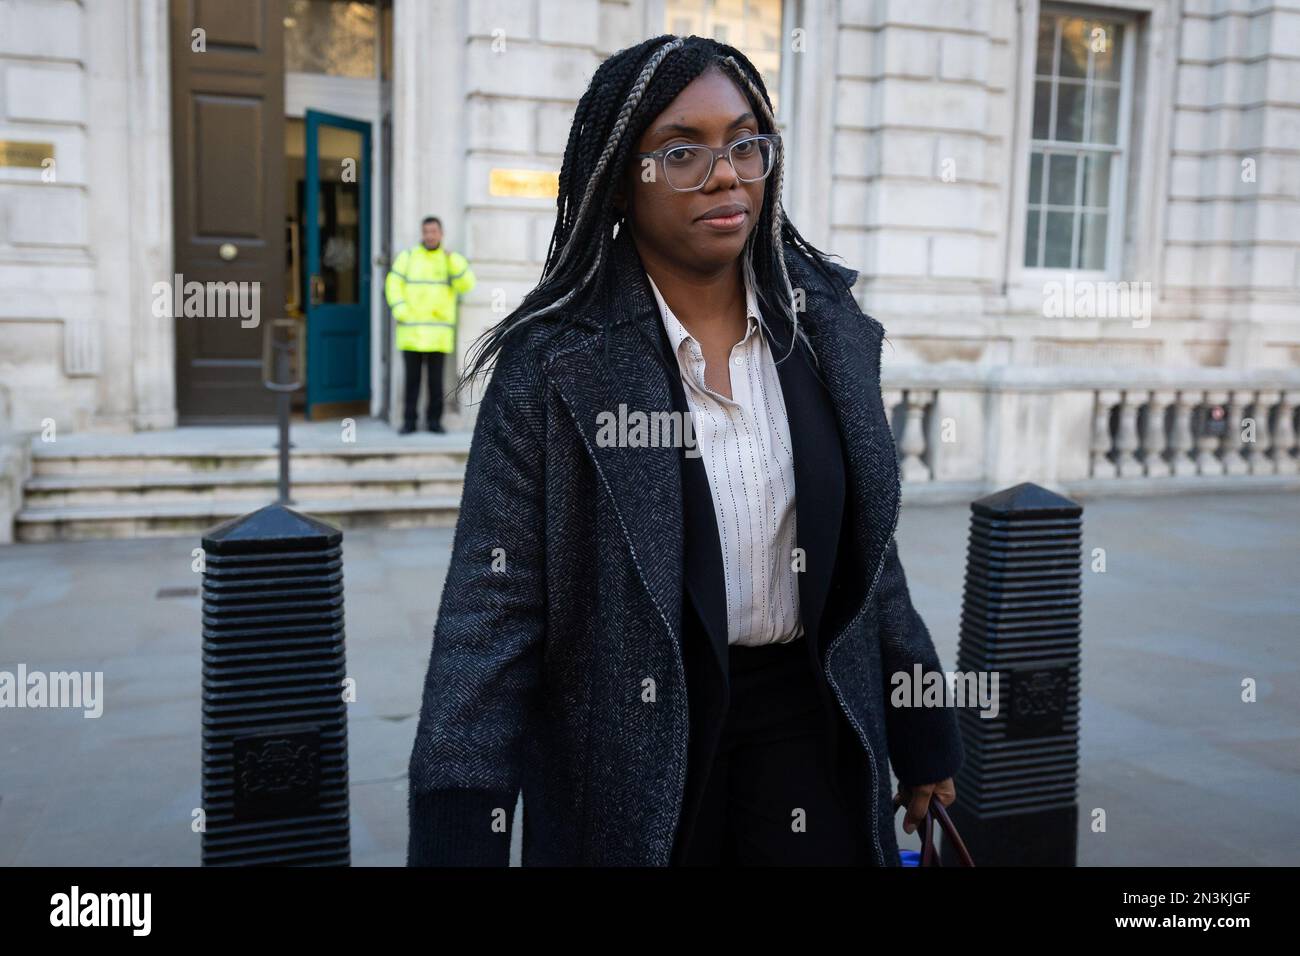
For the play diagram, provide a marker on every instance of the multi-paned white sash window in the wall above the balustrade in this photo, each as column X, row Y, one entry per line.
column 1077, row 154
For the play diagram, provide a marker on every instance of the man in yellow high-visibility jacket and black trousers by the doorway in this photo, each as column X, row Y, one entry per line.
column 422, row 291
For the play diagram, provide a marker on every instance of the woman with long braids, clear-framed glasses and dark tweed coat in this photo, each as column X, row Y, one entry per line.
column 678, row 639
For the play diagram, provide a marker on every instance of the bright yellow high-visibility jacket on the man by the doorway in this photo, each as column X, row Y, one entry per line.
column 422, row 291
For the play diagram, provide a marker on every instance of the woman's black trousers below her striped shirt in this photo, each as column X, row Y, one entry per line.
column 770, row 799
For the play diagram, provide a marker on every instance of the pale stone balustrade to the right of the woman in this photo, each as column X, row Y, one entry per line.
column 1082, row 431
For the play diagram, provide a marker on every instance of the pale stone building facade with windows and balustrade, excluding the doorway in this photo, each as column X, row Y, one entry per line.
column 1080, row 224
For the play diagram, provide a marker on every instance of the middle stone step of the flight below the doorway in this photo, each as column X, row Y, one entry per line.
column 249, row 485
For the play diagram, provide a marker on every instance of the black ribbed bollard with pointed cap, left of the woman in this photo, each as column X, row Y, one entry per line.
column 275, row 721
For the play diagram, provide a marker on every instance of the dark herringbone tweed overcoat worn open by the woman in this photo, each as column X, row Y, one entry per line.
column 584, row 595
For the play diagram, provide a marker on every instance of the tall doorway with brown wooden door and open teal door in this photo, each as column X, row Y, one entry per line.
column 278, row 188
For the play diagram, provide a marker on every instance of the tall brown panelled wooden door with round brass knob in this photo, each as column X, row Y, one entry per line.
column 228, row 152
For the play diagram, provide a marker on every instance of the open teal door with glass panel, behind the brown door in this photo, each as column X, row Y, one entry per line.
column 337, row 256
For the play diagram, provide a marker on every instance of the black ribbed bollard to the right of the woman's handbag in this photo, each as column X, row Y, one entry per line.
column 1017, row 790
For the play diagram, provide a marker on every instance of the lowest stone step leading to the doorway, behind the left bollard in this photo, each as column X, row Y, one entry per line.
column 196, row 518
